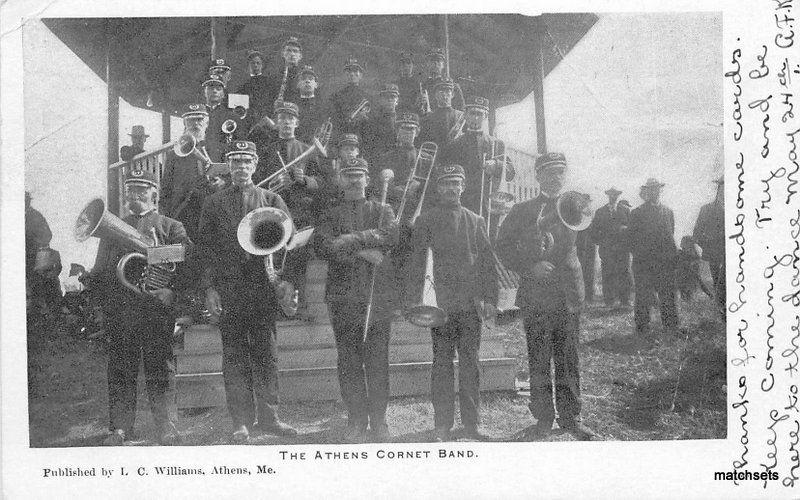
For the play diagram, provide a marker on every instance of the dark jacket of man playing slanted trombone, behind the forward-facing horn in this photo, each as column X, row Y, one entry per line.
column 299, row 198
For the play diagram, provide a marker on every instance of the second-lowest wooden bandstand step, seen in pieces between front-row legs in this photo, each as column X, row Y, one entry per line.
column 325, row 355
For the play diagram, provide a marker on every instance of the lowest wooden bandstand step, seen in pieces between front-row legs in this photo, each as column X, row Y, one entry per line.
column 320, row 384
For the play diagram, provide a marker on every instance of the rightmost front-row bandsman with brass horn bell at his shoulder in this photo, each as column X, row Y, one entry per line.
column 550, row 295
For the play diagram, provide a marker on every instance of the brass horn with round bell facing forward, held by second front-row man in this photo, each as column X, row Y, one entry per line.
column 263, row 232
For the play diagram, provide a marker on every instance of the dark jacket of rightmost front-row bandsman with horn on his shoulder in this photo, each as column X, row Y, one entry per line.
column 516, row 244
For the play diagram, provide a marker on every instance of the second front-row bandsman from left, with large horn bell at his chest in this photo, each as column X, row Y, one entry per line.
column 237, row 290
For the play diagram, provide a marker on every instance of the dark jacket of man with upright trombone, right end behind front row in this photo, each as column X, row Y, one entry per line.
column 468, row 151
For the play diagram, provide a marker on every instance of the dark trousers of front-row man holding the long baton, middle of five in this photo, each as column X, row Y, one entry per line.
column 363, row 367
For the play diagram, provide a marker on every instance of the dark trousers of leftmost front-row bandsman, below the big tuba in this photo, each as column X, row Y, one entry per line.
column 132, row 336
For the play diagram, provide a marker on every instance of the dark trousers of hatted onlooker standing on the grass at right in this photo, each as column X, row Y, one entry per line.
column 658, row 278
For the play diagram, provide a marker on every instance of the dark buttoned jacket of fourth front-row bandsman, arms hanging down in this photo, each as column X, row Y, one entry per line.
column 463, row 259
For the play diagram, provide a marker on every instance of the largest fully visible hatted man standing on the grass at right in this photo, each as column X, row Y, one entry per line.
column 651, row 233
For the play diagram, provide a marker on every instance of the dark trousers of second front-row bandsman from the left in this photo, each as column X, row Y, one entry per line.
column 249, row 360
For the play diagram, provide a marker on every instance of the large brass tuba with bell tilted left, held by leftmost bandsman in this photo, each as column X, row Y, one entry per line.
column 133, row 270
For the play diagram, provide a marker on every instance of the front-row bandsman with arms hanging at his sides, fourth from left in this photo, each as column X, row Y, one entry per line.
column 464, row 273
